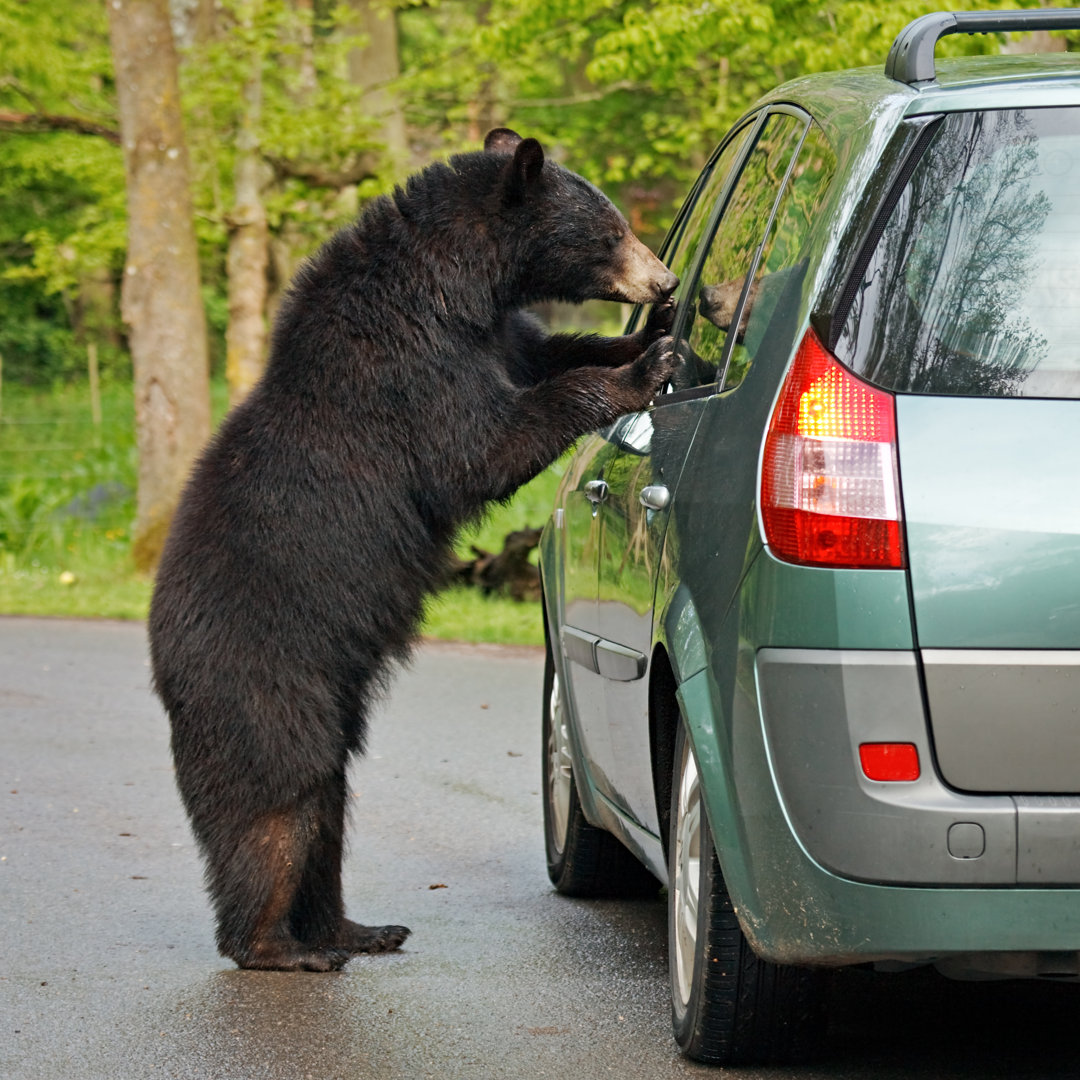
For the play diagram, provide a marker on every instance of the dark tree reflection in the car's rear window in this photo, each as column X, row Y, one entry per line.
column 937, row 312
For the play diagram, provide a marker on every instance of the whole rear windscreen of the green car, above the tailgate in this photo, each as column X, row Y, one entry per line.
column 975, row 286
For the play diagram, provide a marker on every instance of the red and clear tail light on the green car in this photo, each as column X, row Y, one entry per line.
column 830, row 480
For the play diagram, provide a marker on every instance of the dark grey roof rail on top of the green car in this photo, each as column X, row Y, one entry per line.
column 912, row 57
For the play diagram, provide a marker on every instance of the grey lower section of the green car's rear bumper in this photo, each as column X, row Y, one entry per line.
column 818, row 706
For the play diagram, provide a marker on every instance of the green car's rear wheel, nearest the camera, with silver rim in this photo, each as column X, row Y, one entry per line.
column 728, row 1006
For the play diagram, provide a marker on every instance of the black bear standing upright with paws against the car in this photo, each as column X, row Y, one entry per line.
column 406, row 389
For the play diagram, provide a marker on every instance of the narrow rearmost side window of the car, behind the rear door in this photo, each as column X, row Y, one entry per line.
column 779, row 273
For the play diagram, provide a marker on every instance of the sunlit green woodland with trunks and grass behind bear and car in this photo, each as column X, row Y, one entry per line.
column 227, row 139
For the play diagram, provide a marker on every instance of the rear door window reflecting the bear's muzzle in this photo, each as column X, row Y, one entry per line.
column 719, row 287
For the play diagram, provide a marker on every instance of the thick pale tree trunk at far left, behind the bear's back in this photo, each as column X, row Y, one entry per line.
column 160, row 299
